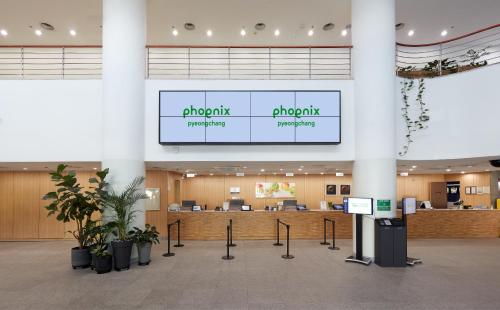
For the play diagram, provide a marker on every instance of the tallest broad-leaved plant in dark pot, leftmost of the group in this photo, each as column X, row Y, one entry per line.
column 72, row 203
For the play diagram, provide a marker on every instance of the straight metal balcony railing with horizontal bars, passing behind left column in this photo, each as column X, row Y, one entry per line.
column 182, row 62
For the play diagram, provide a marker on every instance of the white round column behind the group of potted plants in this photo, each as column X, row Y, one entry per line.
column 123, row 41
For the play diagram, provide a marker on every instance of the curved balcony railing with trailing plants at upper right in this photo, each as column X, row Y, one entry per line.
column 473, row 50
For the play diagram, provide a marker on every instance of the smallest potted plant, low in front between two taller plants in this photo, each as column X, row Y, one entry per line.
column 101, row 258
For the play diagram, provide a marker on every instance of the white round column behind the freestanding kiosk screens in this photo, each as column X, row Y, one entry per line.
column 374, row 171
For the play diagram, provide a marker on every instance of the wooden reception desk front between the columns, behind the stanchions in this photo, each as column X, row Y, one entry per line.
column 211, row 225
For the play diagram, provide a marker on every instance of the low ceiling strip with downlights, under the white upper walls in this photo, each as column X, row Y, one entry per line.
column 253, row 168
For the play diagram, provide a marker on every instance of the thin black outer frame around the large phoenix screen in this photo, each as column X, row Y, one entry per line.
column 252, row 143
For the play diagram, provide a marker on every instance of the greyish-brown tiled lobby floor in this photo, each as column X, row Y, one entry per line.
column 456, row 274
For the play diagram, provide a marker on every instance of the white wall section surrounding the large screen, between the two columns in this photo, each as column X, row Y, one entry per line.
column 157, row 152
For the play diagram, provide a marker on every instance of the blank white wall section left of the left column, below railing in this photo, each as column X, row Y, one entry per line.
column 42, row 121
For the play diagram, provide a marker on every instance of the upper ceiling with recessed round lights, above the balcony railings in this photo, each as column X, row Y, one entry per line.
column 226, row 18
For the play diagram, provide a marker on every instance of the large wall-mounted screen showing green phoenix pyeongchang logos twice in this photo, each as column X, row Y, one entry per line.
column 249, row 117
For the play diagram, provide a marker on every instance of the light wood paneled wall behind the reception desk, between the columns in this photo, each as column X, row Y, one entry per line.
column 214, row 190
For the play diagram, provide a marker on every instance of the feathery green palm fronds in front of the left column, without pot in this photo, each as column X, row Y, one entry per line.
column 121, row 207
